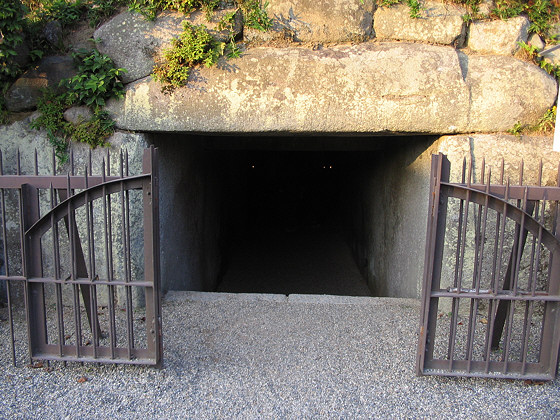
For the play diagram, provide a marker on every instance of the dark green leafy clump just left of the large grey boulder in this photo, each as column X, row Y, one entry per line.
column 96, row 81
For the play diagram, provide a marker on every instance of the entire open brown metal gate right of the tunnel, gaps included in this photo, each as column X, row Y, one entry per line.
column 491, row 292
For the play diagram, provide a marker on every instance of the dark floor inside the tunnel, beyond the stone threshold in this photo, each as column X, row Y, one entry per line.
column 305, row 260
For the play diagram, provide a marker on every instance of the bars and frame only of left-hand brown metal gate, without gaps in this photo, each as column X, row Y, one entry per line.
column 84, row 279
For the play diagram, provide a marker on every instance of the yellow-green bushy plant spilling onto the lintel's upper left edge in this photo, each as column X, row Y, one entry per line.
column 194, row 46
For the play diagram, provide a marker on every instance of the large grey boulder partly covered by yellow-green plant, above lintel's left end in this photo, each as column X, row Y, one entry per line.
column 133, row 42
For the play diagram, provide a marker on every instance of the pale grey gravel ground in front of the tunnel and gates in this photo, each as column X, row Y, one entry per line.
column 271, row 356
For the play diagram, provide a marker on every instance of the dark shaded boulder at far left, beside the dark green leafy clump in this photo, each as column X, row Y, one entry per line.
column 25, row 92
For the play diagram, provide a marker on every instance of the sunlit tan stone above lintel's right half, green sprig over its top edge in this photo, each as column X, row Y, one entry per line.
column 439, row 23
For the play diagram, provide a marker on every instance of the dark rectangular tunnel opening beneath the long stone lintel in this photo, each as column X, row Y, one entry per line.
column 282, row 214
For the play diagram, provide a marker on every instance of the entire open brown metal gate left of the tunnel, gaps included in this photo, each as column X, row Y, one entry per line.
column 94, row 303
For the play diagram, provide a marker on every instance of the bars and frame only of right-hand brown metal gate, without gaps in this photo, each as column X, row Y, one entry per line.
column 488, row 196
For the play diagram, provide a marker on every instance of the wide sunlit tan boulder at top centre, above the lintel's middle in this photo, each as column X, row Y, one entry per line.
column 318, row 21
